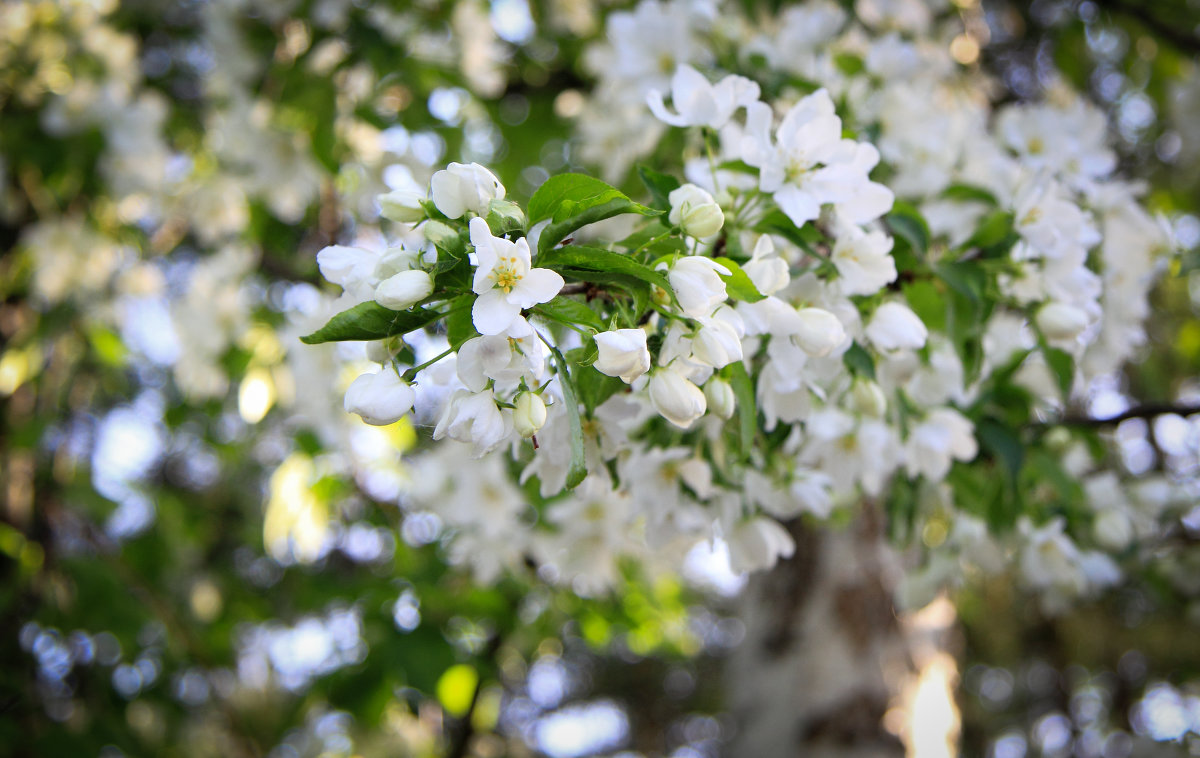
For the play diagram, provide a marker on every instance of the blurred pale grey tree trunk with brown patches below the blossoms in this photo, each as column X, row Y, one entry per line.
column 824, row 654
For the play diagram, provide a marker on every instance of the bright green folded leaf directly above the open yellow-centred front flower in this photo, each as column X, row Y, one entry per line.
column 574, row 201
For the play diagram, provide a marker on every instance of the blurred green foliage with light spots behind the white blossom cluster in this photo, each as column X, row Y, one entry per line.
column 141, row 613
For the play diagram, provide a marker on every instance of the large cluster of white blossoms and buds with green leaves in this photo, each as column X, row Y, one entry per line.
column 801, row 317
